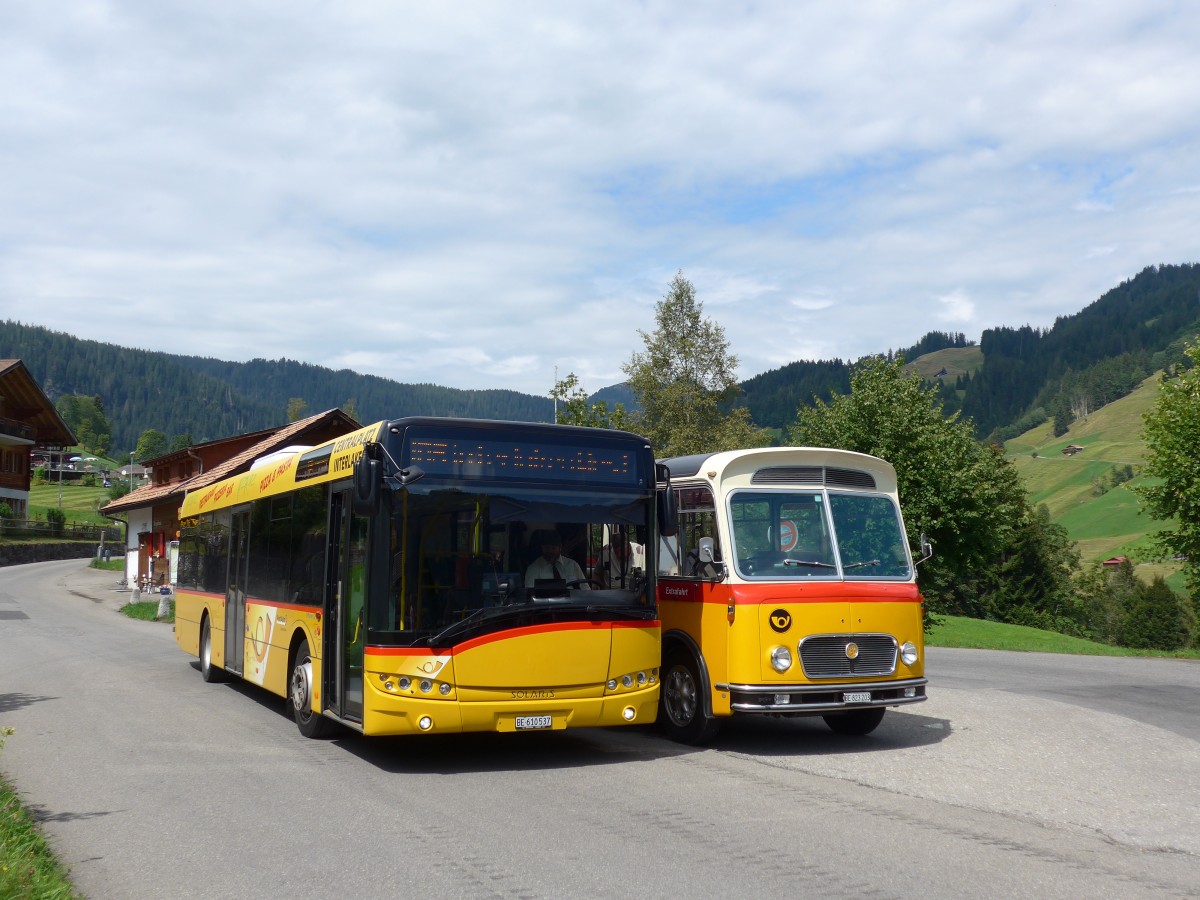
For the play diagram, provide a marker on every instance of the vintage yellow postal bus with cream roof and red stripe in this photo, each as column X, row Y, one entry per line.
column 789, row 590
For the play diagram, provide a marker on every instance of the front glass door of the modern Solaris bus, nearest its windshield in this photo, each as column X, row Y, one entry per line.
column 347, row 598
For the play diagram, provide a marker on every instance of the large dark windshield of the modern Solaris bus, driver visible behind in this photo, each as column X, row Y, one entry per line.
column 473, row 553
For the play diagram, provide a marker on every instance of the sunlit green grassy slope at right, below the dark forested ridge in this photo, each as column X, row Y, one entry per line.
column 1105, row 524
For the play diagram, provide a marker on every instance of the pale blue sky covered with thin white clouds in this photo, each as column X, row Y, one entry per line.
column 478, row 195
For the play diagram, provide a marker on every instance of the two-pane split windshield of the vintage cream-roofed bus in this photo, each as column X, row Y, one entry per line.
column 818, row 535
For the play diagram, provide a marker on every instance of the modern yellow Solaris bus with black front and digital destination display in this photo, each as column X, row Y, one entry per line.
column 401, row 579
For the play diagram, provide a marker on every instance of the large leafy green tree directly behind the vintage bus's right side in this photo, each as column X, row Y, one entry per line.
column 991, row 549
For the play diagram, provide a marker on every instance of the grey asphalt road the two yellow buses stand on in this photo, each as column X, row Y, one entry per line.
column 1024, row 775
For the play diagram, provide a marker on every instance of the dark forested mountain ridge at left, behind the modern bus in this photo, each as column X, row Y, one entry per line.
column 208, row 399
